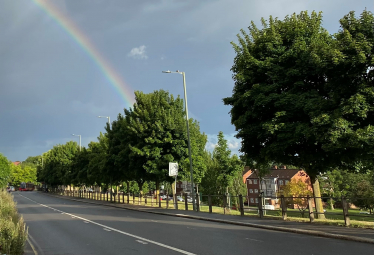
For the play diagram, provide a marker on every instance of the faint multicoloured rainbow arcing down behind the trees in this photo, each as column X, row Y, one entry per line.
column 78, row 36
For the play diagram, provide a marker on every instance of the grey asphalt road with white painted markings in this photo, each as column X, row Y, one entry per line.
column 60, row 226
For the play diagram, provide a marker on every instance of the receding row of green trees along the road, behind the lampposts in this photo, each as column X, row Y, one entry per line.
column 136, row 150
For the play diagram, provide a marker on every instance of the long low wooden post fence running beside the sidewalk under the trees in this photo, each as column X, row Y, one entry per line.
column 302, row 208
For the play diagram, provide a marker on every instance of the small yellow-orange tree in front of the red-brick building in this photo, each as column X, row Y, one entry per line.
column 298, row 191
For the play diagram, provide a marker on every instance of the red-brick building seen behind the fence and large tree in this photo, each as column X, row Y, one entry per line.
column 270, row 184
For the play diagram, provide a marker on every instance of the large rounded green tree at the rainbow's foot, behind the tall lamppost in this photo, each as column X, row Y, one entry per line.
column 152, row 134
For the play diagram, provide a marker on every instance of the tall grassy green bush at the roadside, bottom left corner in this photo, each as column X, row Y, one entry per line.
column 13, row 232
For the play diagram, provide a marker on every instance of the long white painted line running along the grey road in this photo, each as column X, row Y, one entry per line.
column 118, row 231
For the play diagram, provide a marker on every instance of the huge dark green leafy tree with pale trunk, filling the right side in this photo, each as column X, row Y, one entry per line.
column 304, row 97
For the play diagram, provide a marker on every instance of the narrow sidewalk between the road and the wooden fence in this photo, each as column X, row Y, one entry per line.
column 337, row 232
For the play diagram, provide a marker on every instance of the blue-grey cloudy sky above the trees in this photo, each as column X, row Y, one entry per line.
column 51, row 86
